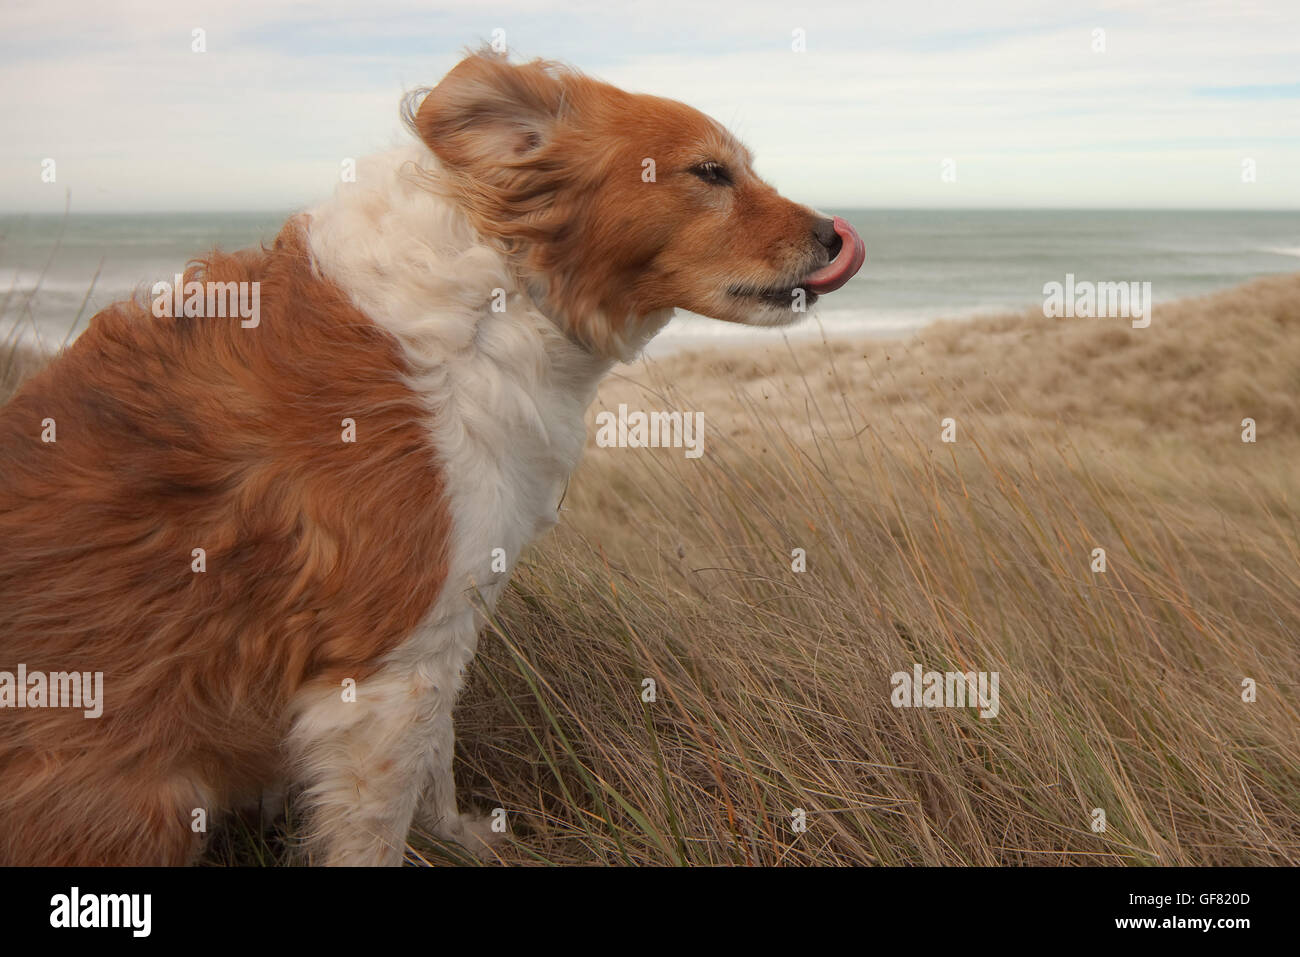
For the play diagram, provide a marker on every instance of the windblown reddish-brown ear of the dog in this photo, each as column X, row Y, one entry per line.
column 488, row 115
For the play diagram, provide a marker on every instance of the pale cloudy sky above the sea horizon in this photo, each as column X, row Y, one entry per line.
column 900, row 103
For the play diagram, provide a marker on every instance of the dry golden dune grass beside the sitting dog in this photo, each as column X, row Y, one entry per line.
column 1120, row 691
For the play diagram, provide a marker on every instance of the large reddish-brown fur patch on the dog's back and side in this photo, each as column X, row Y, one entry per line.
column 322, row 556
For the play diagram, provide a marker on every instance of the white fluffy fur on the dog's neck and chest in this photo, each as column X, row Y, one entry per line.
column 505, row 389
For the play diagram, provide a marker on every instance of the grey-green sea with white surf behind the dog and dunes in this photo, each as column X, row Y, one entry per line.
column 922, row 265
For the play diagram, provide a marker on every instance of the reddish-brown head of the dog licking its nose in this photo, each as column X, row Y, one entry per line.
column 623, row 206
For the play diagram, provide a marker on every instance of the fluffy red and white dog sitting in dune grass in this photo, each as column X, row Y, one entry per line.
column 460, row 305
